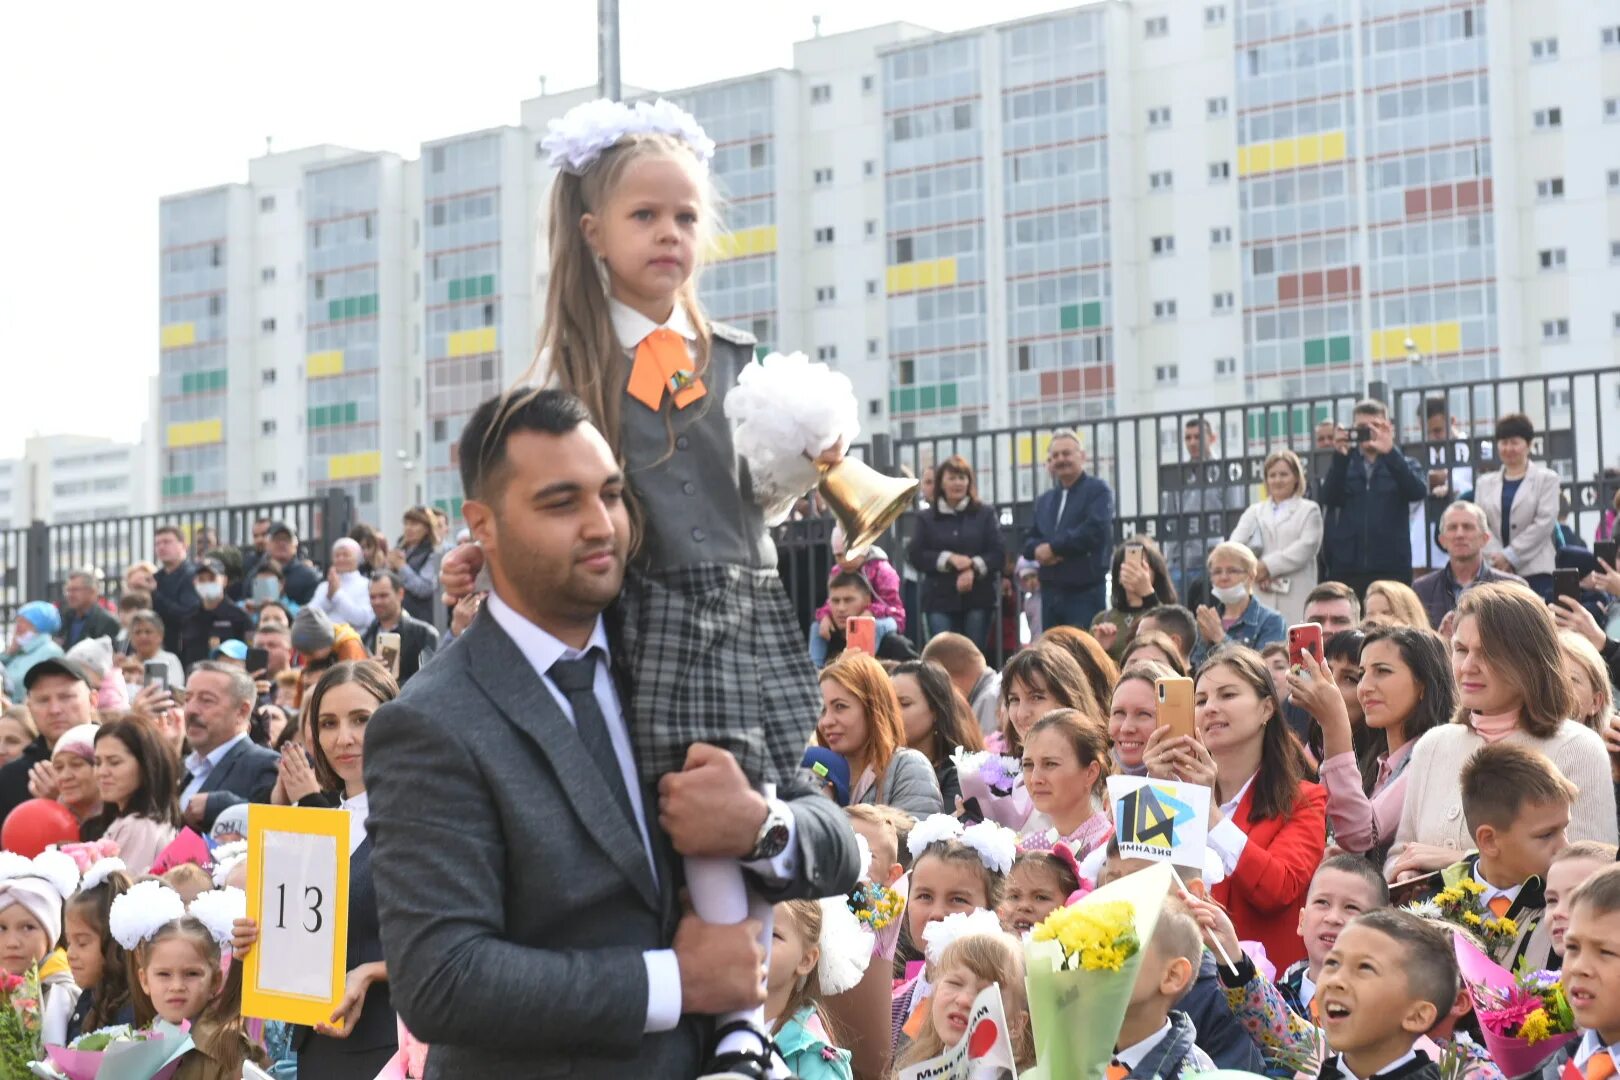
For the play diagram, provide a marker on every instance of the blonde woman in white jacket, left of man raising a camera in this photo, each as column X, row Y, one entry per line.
column 1285, row 532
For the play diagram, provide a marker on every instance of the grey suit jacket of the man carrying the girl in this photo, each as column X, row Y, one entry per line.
column 516, row 899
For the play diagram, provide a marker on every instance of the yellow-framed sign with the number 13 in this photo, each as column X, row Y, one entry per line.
column 299, row 896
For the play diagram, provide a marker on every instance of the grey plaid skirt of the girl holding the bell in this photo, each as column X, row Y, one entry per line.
column 717, row 657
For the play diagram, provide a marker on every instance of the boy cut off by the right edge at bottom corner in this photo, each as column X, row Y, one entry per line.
column 1592, row 982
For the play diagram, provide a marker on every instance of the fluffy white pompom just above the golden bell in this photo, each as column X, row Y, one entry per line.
column 787, row 412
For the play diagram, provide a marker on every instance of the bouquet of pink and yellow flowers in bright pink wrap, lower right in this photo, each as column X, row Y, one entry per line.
column 1525, row 1019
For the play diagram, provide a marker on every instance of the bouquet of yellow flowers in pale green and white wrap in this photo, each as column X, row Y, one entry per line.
column 1081, row 966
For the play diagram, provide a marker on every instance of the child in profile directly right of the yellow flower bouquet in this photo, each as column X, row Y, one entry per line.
column 1157, row 1040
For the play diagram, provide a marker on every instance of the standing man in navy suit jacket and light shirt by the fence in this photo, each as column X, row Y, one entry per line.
column 1072, row 538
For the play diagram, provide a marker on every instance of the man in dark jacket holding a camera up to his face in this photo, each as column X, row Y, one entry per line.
column 1373, row 488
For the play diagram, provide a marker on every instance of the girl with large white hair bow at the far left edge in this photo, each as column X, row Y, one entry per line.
column 32, row 896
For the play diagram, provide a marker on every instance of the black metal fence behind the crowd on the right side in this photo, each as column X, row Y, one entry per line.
column 1187, row 477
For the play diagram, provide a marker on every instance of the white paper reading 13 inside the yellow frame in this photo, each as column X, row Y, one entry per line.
column 299, row 932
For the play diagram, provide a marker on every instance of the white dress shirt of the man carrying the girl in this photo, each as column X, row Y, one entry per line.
column 542, row 650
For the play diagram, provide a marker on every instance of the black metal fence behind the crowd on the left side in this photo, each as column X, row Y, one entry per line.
column 36, row 561
